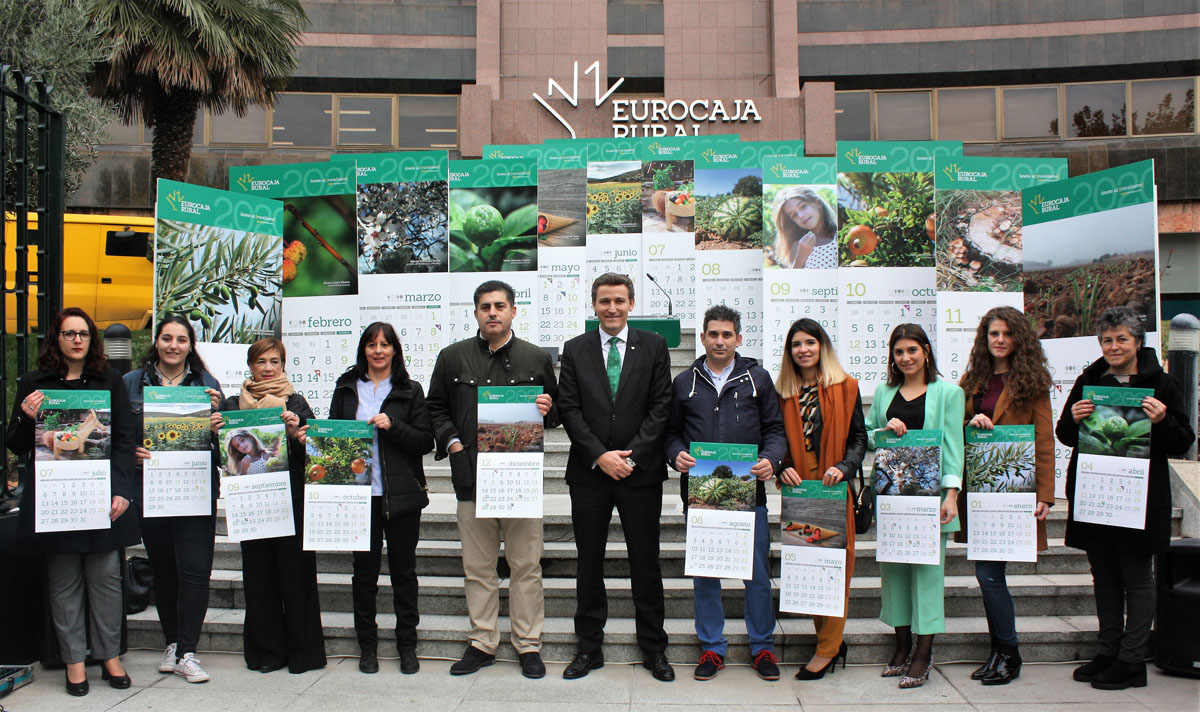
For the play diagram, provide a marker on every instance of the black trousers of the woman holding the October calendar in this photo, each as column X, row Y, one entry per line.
column 404, row 531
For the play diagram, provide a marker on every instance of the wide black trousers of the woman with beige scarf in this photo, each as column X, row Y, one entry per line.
column 283, row 606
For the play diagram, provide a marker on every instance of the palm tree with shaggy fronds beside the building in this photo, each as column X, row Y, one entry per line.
column 171, row 57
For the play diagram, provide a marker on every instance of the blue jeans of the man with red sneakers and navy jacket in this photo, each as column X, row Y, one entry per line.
column 760, row 607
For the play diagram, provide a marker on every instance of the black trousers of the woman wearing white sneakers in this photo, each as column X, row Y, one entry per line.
column 181, row 552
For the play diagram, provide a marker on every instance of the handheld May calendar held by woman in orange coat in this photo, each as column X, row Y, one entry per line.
column 813, row 567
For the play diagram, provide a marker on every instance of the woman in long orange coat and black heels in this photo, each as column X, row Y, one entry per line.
column 826, row 441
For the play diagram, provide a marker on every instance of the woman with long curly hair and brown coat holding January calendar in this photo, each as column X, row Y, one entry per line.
column 1007, row 384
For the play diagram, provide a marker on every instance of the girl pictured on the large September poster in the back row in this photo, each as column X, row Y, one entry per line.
column 806, row 230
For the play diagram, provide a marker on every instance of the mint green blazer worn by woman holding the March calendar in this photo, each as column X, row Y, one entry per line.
column 946, row 411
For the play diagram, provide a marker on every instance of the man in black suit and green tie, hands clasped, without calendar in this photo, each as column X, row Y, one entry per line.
column 614, row 400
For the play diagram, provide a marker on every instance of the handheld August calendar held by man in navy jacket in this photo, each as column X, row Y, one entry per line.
column 721, row 510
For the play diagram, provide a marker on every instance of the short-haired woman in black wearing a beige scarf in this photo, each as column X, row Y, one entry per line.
column 283, row 603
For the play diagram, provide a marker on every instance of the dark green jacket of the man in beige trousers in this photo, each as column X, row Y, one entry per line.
column 453, row 403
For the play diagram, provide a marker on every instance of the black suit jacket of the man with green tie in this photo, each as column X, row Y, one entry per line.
column 635, row 422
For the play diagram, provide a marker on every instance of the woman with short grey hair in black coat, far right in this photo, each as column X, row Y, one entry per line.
column 1121, row 558
